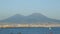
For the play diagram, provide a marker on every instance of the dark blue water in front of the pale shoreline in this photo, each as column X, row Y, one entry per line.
column 55, row 30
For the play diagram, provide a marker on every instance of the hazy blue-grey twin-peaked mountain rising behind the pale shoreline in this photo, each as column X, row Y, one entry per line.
column 33, row 18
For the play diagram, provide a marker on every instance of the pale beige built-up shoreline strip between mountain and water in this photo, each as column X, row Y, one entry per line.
column 28, row 25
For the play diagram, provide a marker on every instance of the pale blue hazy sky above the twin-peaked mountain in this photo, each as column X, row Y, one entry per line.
column 50, row 8
